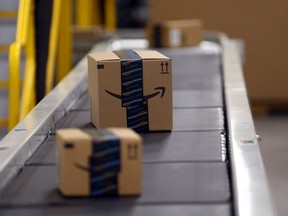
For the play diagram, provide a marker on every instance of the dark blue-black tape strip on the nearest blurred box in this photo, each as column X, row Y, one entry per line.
column 104, row 163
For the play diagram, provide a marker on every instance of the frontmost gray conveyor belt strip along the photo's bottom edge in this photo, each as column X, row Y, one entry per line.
column 109, row 210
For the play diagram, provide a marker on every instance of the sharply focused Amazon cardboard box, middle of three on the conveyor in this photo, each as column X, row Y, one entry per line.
column 131, row 89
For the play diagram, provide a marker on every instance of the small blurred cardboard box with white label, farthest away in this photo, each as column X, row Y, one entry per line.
column 176, row 33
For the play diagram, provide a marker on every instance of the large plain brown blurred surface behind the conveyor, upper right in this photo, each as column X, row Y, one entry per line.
column 263, row 26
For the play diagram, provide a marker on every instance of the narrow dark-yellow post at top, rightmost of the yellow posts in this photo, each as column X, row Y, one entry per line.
column 110, row 15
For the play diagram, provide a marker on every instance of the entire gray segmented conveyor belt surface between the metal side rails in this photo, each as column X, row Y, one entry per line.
column 186, row 166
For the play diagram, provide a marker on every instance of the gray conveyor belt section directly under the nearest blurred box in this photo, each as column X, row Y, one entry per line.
column 162, row 183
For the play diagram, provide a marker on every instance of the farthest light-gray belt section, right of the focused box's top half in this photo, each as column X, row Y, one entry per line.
column 196, row 70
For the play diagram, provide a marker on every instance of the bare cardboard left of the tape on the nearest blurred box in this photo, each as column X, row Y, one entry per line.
column 72, row 180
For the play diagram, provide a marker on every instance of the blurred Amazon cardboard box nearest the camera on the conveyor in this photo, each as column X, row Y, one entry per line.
column 97, row 163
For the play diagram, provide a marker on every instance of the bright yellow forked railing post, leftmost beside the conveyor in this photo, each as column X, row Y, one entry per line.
column 24, row 40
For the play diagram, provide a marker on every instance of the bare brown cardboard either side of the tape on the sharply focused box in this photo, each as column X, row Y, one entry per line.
column 107, row 111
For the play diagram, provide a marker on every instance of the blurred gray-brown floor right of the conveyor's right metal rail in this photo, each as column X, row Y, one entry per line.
column 274, row 148
